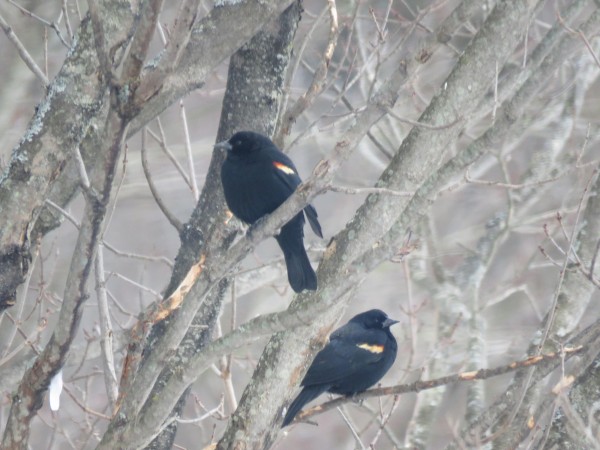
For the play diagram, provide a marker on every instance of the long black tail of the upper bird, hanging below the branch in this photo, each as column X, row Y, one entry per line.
column 300, row 273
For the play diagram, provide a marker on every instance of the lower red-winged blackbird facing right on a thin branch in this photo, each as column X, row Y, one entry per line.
column 357, row 356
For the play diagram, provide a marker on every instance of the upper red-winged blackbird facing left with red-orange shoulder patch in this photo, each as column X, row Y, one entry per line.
column 257, row 178
